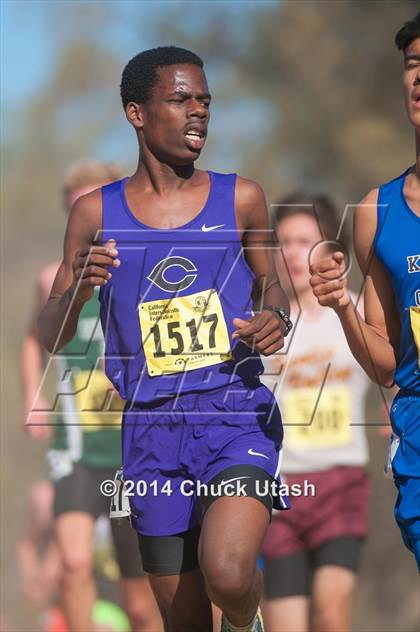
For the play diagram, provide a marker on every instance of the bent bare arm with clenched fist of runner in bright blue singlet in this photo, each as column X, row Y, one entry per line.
column 374, row 339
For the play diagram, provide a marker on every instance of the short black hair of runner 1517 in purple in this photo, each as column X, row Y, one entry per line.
column 139, row 75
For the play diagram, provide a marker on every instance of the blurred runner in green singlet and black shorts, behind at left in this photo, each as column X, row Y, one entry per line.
column 85, row 447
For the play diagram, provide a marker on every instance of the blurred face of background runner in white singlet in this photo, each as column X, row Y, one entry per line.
column 296, row 235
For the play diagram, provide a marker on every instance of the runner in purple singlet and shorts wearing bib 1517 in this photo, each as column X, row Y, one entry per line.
column 179, row 326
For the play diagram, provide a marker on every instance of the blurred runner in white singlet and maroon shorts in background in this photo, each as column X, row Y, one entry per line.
column 313, row 550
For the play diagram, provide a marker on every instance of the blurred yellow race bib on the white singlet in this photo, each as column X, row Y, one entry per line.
column 325, row 424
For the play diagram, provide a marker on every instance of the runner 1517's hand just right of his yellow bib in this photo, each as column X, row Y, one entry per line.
column 264, row 332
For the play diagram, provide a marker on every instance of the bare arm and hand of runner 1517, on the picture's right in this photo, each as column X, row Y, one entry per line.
column 266, row 328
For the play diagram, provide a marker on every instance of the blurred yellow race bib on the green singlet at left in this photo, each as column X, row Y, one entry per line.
column 97, row 402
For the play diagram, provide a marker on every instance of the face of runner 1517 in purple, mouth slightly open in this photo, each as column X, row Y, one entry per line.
column 175, row 118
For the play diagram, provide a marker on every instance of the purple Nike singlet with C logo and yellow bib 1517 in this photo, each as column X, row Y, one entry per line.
column 167, row 310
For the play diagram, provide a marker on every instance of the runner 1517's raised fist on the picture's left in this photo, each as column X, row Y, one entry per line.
column 90, row 268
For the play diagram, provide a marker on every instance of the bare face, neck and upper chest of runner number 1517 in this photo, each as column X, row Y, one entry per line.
column 171, row 129
